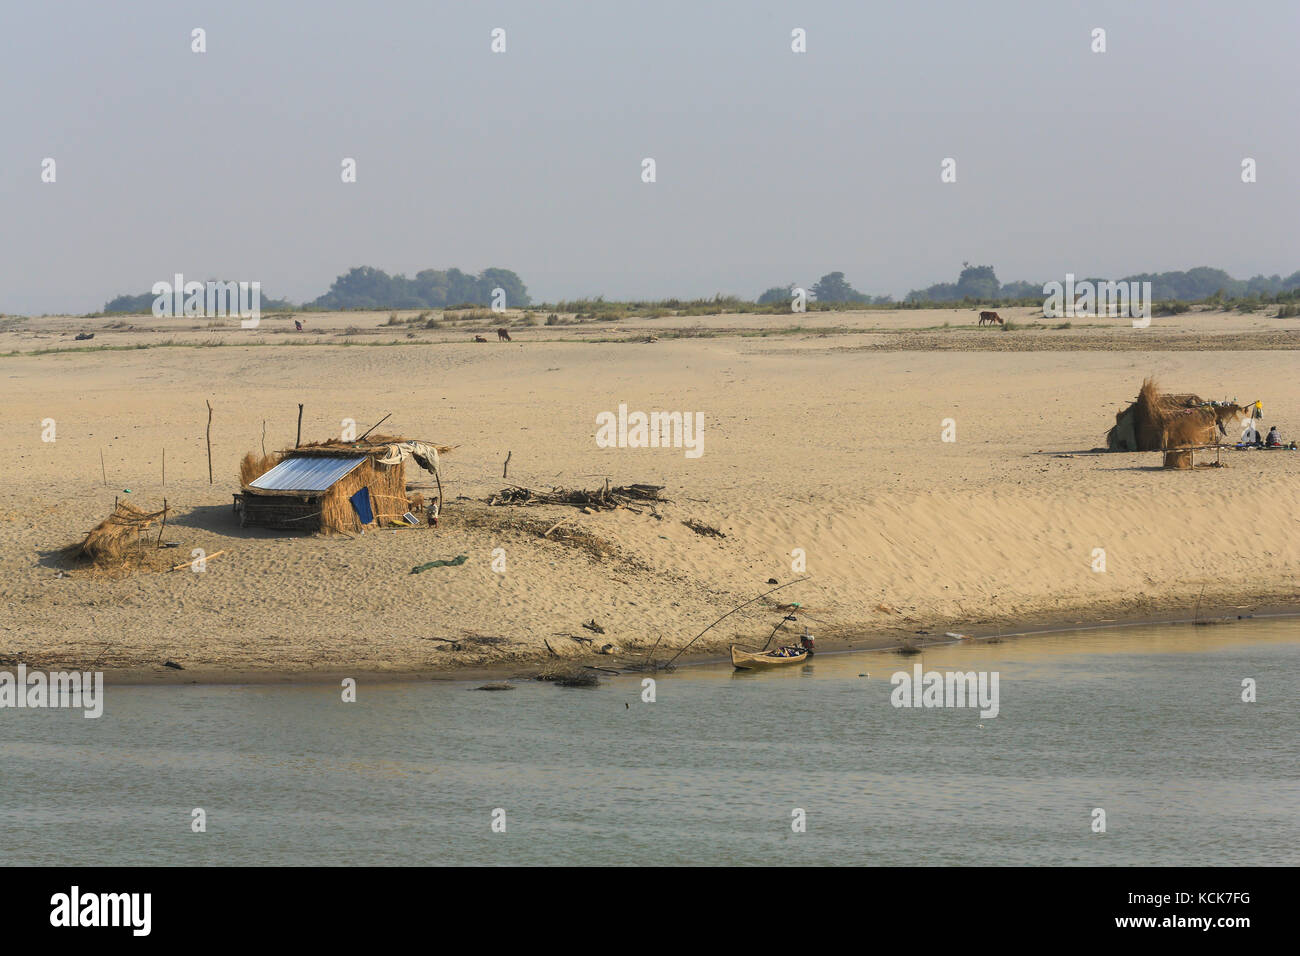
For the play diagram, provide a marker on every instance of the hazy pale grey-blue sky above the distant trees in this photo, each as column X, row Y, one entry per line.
column 773, row 167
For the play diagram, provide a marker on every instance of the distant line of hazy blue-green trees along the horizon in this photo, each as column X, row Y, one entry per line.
column 367, row 288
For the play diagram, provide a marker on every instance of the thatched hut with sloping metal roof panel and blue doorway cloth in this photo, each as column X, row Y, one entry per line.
column 336, row 486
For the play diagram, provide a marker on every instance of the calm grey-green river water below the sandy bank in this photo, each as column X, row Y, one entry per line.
column 1145, row 723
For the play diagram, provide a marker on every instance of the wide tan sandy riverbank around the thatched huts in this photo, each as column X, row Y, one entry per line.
column 822, row 439
